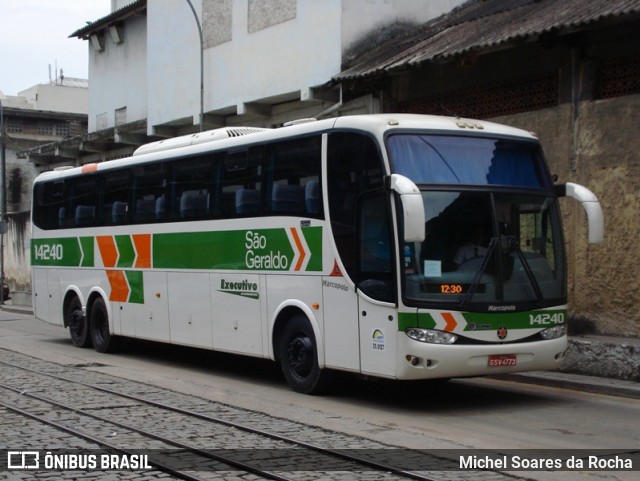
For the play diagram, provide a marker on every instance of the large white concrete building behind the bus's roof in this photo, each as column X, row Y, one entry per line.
column 264, row 62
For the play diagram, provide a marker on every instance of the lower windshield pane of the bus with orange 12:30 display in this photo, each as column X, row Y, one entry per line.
column 487, row 249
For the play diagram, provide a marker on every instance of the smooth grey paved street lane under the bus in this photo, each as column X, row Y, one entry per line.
column 471, row 413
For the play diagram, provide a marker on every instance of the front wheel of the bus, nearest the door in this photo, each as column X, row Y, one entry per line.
column 299, row 357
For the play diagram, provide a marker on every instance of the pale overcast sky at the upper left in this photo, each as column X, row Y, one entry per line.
column 35, row 34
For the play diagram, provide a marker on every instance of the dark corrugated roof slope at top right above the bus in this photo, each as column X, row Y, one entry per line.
column 484, row 25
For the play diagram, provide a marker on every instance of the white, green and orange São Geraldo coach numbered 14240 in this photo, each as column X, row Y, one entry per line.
column 397, row 246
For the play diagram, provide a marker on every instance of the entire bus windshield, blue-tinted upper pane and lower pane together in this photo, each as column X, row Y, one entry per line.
column 493, row 234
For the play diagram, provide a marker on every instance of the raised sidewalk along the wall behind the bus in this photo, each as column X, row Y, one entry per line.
column 595, row 364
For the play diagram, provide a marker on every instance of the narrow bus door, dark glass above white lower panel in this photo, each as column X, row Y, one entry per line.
column 377, row 294
